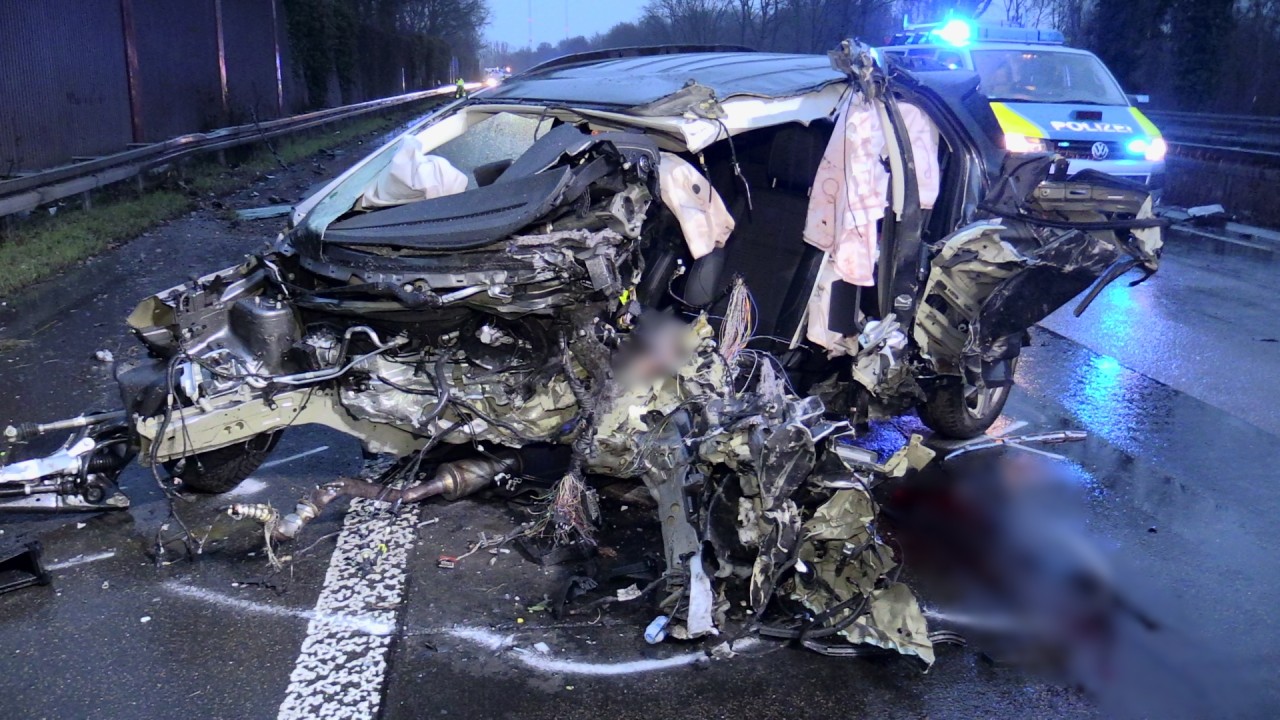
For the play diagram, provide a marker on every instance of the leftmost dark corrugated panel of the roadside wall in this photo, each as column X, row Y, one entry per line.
column 63, row 83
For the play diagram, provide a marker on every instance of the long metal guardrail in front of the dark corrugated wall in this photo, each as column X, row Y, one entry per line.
column 30, row 192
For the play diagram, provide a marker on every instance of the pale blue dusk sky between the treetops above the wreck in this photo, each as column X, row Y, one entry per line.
column 509, row 20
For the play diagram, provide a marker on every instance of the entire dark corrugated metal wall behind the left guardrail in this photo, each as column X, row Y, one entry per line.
column 89, row 78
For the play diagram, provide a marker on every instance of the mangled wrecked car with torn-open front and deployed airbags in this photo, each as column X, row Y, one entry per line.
column 705, row 272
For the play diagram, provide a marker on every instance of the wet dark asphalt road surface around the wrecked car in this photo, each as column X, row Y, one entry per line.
column 1172, row 380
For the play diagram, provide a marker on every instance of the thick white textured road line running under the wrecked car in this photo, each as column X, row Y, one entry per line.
column 341, row 672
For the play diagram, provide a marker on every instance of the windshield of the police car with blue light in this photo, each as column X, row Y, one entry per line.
column 1046, row 76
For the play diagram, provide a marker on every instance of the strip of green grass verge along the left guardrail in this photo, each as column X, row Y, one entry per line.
column 42, row 245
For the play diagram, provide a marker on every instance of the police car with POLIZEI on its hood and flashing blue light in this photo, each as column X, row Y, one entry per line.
column 1045, row 95
